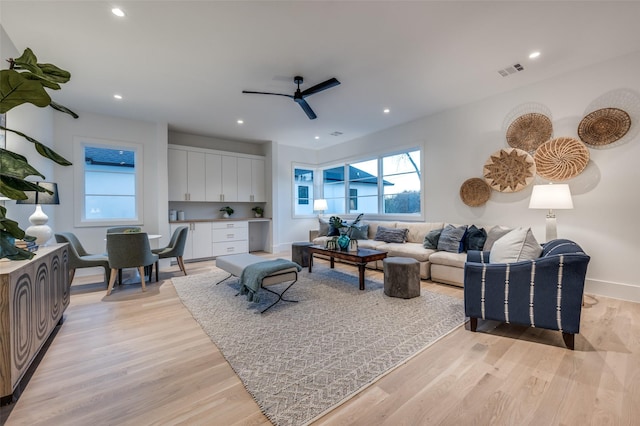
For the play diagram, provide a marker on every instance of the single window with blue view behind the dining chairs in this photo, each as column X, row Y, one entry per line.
column 111, row 181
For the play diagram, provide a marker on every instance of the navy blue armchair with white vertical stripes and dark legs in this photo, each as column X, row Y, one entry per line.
column 545, row 292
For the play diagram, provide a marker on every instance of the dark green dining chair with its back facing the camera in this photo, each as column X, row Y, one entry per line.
column 129, row 250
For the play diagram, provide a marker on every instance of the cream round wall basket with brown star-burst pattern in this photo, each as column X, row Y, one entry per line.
column 509, row 170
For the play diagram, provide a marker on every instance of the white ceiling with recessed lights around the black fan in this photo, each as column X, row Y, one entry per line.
column 187, row 62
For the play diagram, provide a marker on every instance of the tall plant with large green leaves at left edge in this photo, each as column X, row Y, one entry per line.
column 25, row 82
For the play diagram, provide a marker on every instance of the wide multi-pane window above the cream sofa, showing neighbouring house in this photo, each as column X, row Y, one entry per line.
column 390, row 184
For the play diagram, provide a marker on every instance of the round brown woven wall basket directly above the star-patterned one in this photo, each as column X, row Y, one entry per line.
column 529, row 131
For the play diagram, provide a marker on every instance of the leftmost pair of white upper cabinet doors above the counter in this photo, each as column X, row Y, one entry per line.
column 186, row 172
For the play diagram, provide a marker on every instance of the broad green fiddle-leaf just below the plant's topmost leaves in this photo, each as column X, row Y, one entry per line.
column 16, row 90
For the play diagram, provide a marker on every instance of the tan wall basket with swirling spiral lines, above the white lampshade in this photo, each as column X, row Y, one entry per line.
column 561, row 158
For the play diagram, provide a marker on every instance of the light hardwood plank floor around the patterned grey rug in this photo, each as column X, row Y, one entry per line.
column 140, row 359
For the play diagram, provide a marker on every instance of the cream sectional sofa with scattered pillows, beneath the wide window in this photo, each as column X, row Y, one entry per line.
column 439, row 266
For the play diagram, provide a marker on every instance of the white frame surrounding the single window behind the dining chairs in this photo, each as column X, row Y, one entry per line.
column 79, row 179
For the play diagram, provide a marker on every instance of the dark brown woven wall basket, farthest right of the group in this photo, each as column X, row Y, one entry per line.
column 604, row 126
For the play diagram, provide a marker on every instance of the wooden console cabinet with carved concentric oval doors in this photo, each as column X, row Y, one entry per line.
column 33, row 296
